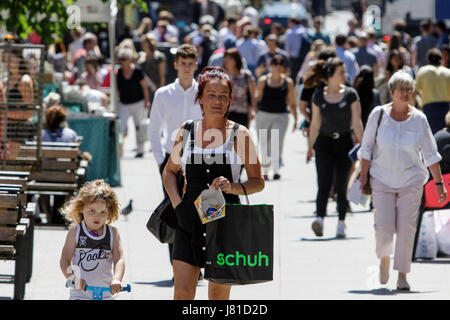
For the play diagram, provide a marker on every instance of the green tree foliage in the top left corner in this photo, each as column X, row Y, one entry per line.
column 47, row 17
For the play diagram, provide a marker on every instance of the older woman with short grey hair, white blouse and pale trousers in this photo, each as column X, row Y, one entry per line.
column 398, row 156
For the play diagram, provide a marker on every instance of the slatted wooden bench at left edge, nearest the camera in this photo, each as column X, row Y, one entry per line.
column 16, row 235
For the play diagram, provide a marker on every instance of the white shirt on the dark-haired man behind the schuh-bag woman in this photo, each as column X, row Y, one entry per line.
column 171, row 107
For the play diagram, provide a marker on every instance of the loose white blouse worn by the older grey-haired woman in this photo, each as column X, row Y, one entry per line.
column 403, row 149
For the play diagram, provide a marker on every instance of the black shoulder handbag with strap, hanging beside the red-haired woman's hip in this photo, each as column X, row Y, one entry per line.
column 163, row 221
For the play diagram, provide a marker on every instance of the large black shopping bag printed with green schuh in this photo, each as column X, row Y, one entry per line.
column 239, row 247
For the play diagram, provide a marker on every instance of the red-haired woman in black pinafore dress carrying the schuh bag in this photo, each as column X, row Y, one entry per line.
column 214, row 154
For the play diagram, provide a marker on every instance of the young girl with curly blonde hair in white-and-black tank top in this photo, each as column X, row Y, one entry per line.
column 92, row 254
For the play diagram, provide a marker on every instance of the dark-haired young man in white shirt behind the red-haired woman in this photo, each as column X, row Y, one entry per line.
column 172, row 106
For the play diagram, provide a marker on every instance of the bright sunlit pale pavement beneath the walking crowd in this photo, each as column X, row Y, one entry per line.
column 305, row 267
